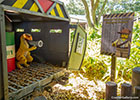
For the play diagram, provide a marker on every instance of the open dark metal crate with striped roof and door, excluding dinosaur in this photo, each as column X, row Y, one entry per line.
column 45, row 20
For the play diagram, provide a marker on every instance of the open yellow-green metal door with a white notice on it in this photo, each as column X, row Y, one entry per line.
column 76, row 57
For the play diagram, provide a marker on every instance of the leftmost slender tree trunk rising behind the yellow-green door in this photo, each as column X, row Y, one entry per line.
column 87, row 14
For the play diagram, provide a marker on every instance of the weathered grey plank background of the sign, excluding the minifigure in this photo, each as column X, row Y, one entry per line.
column 112, row 24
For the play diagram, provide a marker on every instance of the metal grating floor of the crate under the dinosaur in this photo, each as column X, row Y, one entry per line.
column 23, row 81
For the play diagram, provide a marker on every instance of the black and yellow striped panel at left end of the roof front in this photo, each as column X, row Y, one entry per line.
column 23, row 4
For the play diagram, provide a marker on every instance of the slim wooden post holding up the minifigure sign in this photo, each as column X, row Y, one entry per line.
column 113, row 67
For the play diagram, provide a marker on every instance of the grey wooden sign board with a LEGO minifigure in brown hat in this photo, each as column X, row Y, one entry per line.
column 116, row 34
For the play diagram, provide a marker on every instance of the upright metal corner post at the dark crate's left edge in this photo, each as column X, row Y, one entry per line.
column 3, row 63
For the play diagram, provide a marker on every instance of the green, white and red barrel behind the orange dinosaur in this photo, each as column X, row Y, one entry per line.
column 10, row 48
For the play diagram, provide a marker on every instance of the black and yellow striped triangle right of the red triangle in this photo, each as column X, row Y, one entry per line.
column 58, row 10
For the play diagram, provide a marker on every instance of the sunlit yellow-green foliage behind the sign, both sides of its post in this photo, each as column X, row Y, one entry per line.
column 97, row 66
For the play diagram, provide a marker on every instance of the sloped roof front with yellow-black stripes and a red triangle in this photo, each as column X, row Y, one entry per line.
column 44, row 6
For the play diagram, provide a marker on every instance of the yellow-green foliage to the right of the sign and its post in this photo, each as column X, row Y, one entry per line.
column 125, row 66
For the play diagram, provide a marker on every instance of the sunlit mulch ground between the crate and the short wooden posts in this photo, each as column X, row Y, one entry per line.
column 79, row 88
